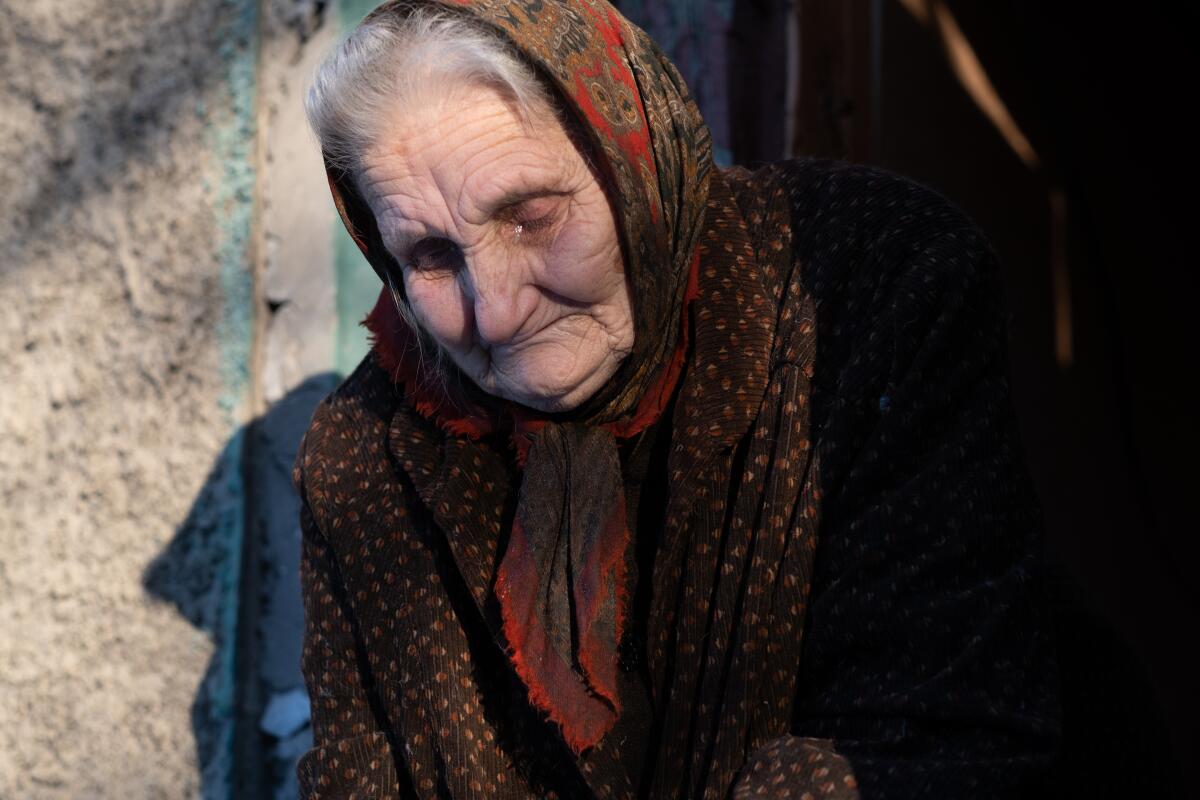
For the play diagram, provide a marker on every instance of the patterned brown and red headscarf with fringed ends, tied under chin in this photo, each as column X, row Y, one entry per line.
column 561, row 582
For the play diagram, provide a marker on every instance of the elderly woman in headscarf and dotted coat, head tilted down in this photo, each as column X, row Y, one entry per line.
column 659, row 480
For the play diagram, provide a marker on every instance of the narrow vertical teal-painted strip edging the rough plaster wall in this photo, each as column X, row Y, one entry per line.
column 230, row 113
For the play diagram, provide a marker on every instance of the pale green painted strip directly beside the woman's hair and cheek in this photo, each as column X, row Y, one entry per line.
column 357, row 285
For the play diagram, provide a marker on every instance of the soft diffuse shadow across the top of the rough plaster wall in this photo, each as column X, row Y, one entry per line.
column 142, row 89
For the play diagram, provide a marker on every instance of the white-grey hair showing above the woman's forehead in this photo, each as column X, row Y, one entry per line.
column 398, row 59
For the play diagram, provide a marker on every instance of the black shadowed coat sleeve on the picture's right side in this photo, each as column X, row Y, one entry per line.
column 926, row 660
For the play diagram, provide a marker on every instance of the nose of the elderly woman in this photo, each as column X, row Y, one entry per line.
column 500, row 298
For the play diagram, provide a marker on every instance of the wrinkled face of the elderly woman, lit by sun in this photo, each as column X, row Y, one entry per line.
column 508, row 246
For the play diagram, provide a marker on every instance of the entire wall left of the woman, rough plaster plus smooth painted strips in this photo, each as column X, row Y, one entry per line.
column 178, row 297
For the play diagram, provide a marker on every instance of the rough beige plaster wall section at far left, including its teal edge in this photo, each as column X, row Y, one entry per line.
column 127, row 155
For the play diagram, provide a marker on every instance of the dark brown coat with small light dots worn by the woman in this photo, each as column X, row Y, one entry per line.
column 836, row 578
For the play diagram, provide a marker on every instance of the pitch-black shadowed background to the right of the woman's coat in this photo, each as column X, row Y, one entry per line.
column 1099, row 92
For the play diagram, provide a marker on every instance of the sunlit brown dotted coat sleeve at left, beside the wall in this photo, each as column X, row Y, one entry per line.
column 351, row 756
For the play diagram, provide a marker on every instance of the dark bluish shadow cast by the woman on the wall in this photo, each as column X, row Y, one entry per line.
column 232, row 570
